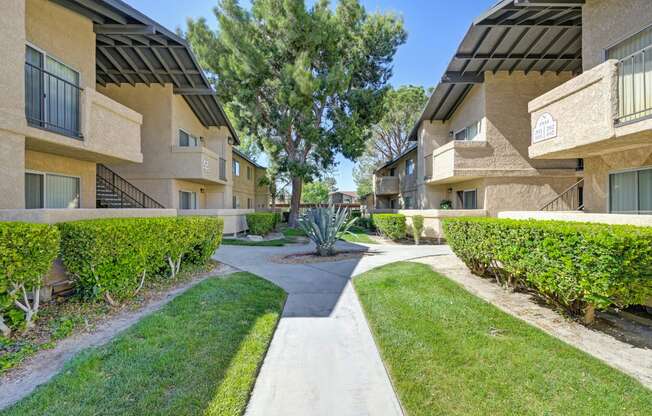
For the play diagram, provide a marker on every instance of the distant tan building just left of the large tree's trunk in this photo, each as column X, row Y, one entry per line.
column 248, row 191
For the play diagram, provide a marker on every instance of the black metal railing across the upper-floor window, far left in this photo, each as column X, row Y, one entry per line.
column 51, row 102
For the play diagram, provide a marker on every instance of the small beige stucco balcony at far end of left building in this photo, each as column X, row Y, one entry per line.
column 198, row 164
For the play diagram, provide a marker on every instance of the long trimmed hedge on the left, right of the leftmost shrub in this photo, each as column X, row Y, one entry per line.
column 111, row 258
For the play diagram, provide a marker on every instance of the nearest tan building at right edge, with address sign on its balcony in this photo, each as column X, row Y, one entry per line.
column 604, row 114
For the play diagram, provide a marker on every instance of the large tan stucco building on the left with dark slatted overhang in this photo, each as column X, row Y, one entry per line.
column 102, row 107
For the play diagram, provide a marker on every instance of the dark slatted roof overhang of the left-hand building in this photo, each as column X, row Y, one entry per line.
column 131, row 48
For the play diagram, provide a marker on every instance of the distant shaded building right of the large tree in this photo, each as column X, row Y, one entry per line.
column 395, row 182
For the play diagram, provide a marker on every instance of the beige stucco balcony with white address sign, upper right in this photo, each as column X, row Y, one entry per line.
column 603, row 110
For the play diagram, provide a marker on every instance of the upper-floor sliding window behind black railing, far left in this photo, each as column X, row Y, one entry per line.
column 52, row 93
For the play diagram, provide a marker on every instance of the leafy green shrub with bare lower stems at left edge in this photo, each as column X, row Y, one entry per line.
column 26, row 255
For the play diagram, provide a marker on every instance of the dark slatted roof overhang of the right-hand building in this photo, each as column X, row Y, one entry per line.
column 513, row 35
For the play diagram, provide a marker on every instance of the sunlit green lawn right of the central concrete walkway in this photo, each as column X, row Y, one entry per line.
column 450, row 353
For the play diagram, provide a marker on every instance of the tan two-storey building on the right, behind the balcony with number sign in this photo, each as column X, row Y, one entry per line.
column 474, row 133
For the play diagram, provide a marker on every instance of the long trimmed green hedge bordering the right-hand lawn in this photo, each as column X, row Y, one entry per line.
column 579, row 266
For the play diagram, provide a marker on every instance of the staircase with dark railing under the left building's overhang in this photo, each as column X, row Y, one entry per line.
column 113, row 191
